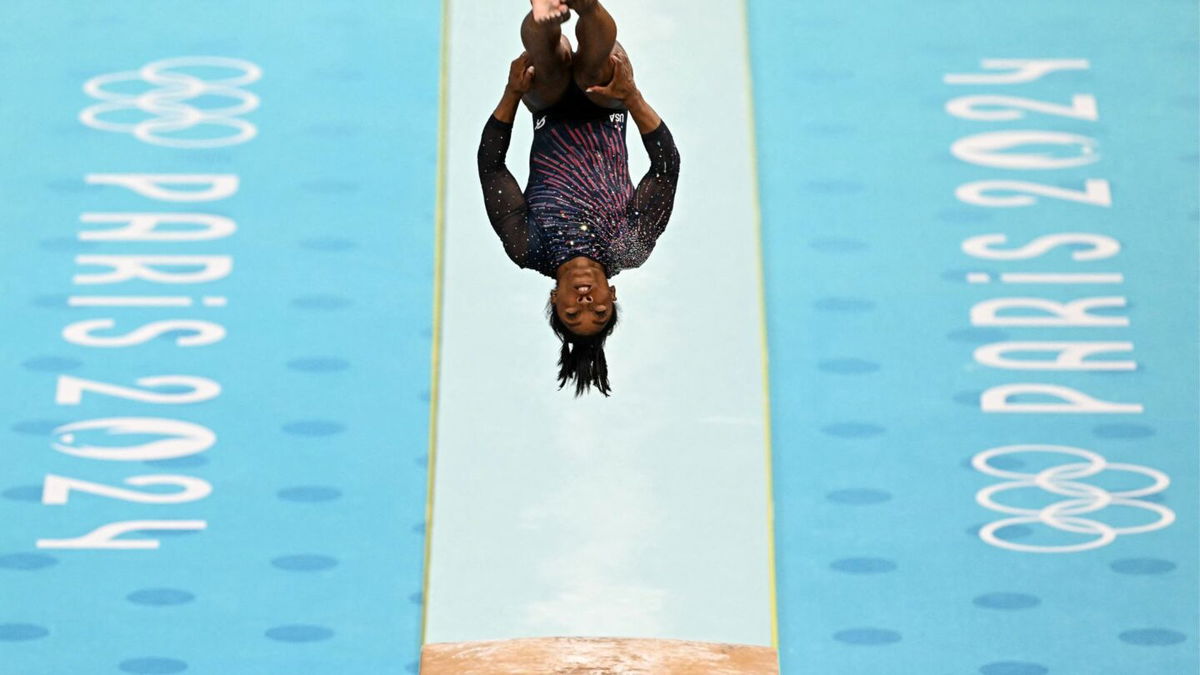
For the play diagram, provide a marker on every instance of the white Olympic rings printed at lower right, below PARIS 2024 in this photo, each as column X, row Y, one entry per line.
column 1083, row 499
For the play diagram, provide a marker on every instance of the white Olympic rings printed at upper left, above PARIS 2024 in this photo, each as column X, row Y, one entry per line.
column 169, row 101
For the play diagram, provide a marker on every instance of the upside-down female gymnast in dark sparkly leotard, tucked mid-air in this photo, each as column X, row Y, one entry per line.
column 580, row 220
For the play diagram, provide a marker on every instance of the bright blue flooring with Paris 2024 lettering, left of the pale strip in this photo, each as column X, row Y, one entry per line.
column 304, row 414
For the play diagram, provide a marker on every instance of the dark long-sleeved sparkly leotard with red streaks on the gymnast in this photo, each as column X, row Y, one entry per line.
column 580, row 200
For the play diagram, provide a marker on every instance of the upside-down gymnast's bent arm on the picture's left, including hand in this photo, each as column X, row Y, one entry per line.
column 502, row 195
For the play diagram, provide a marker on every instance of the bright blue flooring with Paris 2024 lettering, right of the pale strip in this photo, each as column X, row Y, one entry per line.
column 877, row 380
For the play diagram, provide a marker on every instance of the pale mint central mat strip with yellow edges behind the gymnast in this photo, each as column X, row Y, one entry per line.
column 644, row 515
